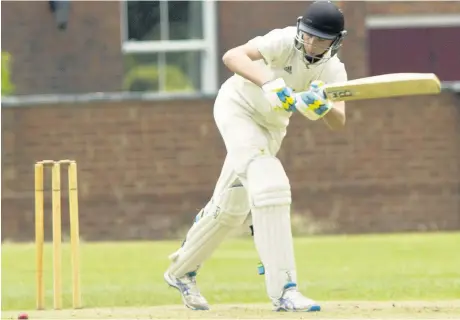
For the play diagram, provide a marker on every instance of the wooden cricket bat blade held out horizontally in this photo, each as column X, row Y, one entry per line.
column 384, row 86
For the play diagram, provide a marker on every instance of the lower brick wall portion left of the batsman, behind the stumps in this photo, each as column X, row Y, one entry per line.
column 142, row 167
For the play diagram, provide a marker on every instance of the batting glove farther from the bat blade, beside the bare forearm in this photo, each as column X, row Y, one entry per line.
column 279, row 95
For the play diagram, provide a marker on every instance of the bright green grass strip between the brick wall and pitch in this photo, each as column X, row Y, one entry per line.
column 384, row 268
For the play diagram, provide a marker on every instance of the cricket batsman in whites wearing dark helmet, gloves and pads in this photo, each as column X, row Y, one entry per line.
column 275, row 76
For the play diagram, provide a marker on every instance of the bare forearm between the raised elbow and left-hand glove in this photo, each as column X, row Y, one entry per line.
column 242, row 65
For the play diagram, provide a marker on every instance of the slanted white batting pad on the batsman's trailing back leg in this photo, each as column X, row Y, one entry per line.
column 211, row 227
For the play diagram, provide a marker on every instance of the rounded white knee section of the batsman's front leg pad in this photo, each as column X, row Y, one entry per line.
column 268, row 184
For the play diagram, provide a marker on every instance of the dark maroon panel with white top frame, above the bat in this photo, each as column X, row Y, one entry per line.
column 415, row 44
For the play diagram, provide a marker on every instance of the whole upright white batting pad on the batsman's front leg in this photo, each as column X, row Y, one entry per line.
column 270, row 195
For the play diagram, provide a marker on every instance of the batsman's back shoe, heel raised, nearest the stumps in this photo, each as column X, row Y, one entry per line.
column 188, row 289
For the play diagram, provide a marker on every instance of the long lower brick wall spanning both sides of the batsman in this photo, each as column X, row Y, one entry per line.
column 145, row 168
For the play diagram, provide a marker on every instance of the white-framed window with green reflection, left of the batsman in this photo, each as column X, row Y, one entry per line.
column 170, row 46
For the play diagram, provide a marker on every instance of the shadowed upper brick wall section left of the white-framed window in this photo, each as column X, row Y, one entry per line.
column 84, row 58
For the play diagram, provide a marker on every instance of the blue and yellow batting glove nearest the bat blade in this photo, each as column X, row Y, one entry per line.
column 313, row 103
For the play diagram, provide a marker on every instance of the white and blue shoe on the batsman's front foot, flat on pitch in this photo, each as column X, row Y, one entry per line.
column 292, row 300
